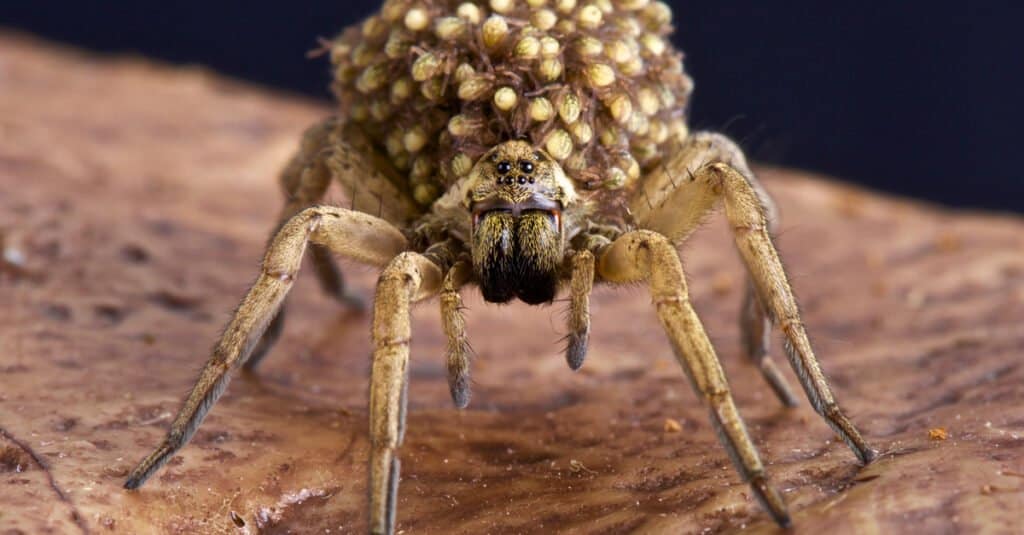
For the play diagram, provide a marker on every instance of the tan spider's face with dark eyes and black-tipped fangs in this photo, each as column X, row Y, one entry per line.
column 517, row 197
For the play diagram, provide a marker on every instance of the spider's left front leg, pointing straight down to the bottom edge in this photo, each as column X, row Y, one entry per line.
column 409, row 278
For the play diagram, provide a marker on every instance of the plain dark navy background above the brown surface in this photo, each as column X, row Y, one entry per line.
column 918, row 98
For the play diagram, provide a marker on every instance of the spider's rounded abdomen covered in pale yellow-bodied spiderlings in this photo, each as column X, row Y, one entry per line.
column 437, row 84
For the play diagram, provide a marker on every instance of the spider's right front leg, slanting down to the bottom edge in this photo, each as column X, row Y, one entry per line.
column 649, row 257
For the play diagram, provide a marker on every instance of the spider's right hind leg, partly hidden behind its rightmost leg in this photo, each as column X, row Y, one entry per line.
column 669, row 202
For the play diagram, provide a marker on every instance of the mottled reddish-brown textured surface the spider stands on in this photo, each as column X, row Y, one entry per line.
column 141, row 198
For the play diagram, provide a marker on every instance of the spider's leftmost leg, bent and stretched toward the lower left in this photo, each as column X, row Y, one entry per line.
column 358, row 236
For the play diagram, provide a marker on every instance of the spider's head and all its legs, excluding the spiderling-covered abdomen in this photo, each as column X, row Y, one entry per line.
column 518, row 228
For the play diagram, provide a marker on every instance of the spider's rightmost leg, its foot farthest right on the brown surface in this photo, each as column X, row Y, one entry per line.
column 700, row 189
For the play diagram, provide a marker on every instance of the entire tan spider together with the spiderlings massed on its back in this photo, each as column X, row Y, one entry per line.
column 523, row 149
